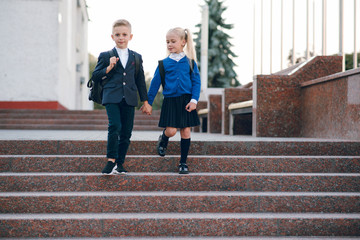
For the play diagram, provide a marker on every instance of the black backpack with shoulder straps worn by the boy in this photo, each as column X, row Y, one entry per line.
column 96, row 88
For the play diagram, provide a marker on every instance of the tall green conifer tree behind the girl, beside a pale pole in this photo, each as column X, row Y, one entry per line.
column 220, row 64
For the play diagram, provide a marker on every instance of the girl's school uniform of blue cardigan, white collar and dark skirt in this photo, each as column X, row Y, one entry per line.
column 181, row 86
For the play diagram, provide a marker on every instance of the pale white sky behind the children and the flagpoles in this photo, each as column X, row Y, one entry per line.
column 151, row 20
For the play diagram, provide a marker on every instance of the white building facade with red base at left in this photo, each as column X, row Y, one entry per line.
column 43, row 54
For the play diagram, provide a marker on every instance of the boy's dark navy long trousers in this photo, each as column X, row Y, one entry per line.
column 121, row 122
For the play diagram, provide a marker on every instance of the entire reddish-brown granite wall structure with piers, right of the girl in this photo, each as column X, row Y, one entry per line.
column 311, row 99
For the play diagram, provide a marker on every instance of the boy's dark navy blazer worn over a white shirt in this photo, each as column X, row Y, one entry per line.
column 121, row 82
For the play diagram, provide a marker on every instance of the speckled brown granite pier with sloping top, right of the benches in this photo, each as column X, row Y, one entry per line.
column 277, row 97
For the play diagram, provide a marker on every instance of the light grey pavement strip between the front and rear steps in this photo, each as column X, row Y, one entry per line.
column 136, row 136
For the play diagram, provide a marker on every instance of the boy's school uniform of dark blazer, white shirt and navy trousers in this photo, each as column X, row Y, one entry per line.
column 120, row 98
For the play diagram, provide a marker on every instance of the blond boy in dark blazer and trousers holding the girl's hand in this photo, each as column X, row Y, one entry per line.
column 120, row 94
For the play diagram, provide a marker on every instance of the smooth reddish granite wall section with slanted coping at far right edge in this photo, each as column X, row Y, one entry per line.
column 330, row 106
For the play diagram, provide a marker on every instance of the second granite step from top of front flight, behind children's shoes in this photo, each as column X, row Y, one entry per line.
column 198, row 163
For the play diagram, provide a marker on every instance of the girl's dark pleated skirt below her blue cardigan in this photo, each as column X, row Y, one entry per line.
column 174, row 114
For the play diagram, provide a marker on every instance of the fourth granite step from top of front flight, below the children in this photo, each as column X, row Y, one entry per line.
column 179, row 202
